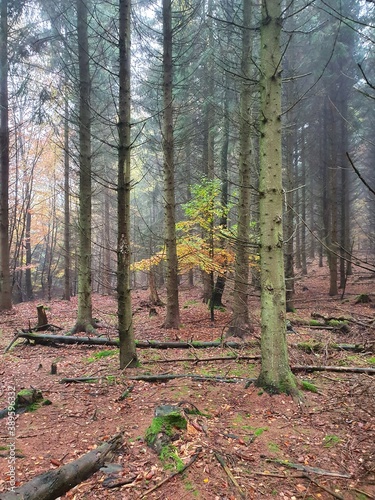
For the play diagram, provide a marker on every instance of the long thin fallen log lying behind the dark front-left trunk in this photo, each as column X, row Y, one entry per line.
column 71, row 339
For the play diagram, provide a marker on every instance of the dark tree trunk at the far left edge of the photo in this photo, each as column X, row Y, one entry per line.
column 5, row 288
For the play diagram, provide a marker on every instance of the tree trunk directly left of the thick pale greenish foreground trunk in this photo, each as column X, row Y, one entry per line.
column 240, row 323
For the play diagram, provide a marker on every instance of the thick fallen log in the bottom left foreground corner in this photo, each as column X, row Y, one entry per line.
column 55, row 483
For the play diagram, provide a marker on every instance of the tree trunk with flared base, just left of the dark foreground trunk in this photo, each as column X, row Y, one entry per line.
column 84, row 319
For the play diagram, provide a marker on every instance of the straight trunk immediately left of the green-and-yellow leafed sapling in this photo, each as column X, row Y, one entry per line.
column 172, row 319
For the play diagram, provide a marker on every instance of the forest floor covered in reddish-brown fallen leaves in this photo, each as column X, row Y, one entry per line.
column 269, row 446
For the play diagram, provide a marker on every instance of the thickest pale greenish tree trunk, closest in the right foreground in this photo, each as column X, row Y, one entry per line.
column 275, row 374
